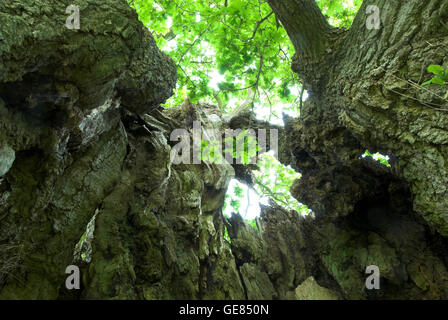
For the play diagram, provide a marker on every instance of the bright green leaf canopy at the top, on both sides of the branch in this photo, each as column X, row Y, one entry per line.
column 224, row 48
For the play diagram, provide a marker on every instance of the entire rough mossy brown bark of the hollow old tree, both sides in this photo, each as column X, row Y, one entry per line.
column 84, row 149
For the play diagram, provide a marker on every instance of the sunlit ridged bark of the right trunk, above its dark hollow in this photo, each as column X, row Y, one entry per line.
column 367, row 101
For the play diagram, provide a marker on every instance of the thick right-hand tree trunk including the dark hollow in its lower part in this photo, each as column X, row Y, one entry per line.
column 365, row 94
